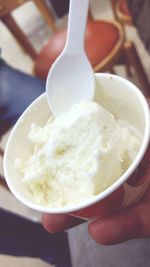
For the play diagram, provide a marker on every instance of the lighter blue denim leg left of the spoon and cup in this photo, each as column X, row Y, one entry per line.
column 17, row 91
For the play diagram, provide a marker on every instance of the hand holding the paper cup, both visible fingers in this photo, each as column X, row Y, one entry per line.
column 133, row 222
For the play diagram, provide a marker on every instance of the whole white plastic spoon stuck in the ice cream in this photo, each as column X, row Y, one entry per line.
column 71, row 78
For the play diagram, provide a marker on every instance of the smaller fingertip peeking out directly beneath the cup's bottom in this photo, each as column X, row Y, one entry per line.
column 56, row 223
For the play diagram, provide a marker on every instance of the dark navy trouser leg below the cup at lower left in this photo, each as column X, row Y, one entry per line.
column 22, row 237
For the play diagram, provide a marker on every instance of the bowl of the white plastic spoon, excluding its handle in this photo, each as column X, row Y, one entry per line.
column 71, row 80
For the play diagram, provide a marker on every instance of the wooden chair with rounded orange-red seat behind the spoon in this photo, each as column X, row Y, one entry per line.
column 105, row 46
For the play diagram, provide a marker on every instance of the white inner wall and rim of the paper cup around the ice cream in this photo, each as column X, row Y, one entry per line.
column 117, row 95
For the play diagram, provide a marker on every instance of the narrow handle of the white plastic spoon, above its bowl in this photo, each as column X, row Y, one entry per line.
column 78, row 10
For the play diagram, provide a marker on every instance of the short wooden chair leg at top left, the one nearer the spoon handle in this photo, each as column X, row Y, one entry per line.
column 47, row 14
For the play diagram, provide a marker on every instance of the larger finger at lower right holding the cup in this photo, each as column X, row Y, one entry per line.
column 127, row 224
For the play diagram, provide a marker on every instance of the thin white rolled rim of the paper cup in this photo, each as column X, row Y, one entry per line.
column 94, row 199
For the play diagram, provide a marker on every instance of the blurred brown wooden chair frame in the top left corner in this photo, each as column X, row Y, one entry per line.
column 6, row 8
